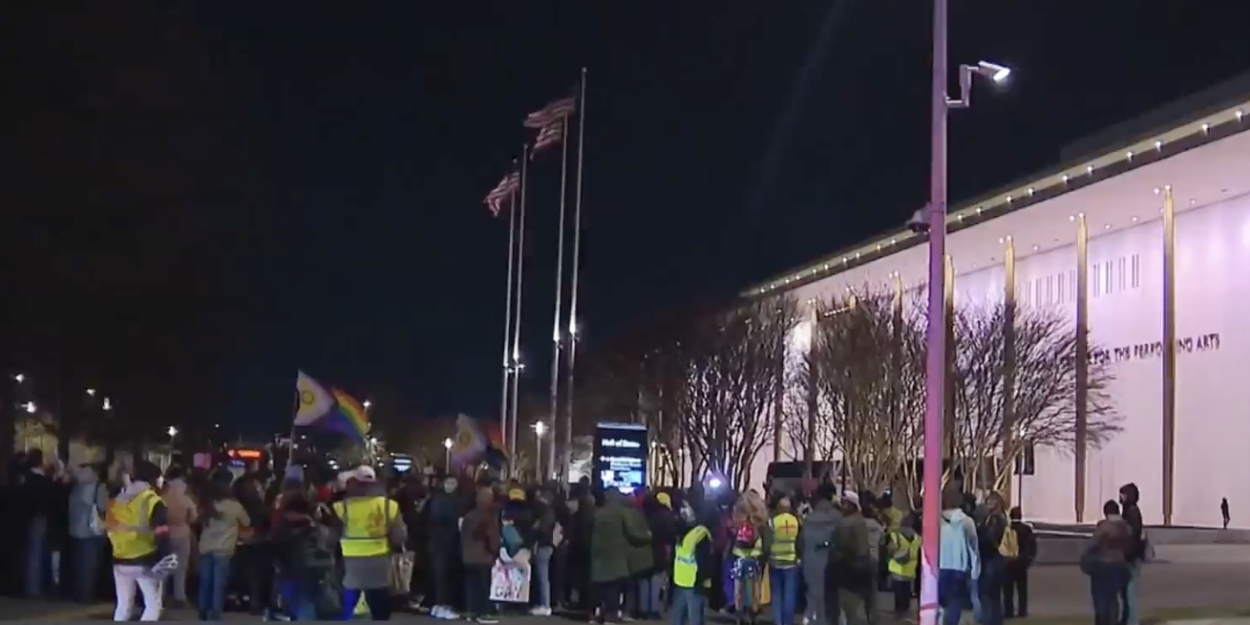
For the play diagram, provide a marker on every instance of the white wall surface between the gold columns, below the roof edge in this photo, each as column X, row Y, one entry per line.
column 1126, row 317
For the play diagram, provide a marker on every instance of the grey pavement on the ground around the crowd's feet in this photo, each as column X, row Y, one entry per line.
column 1198, row 584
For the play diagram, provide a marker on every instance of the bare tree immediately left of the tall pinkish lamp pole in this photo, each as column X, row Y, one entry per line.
column 868, row 362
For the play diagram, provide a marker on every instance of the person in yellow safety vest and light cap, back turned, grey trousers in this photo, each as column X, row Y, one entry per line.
column 369, row 526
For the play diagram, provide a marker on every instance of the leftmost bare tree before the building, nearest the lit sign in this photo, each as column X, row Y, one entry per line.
column 733, row 368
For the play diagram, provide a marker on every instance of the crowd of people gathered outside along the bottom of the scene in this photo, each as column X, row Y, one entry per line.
column 309, row 546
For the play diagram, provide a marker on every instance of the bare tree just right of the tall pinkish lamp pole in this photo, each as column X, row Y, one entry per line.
column 1043, row 397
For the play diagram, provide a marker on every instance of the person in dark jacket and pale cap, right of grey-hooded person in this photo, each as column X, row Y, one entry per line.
column 851, row 568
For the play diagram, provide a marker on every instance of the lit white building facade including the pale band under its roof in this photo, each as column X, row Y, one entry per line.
column 1119, row 196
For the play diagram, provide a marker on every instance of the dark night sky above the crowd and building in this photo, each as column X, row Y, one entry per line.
column 201, row 201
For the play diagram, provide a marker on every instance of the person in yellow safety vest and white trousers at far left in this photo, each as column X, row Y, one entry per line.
column 137, row 524
